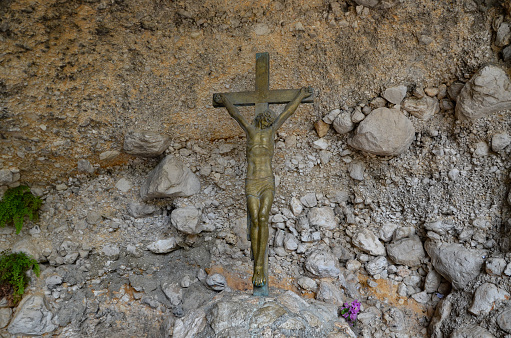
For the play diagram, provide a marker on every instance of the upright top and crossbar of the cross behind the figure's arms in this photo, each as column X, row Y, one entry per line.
column 262, row 96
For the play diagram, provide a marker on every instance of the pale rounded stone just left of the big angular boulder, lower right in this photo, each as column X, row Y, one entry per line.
column 406, row 251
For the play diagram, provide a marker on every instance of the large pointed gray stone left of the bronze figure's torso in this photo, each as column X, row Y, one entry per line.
column 170, row 178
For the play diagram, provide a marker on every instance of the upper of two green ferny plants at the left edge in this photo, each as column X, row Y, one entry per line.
column 17, row 203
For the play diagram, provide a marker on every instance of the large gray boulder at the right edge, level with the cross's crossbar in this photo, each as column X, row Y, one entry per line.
column 487, row 92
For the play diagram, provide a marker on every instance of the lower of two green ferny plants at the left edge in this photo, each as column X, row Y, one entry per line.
column 13, row 268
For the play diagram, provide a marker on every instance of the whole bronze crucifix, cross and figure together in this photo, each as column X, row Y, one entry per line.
column 260, row 182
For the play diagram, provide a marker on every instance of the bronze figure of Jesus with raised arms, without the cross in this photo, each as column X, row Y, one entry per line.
column 260, row 182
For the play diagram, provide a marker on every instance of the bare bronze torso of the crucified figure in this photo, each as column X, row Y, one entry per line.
column 260, row 149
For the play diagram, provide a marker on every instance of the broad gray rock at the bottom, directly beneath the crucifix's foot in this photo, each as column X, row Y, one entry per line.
column 241, row 315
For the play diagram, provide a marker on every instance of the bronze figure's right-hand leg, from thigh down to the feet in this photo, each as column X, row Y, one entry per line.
column 266, row 201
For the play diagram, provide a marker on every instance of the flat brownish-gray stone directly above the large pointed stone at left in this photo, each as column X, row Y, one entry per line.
column 145, row 143
